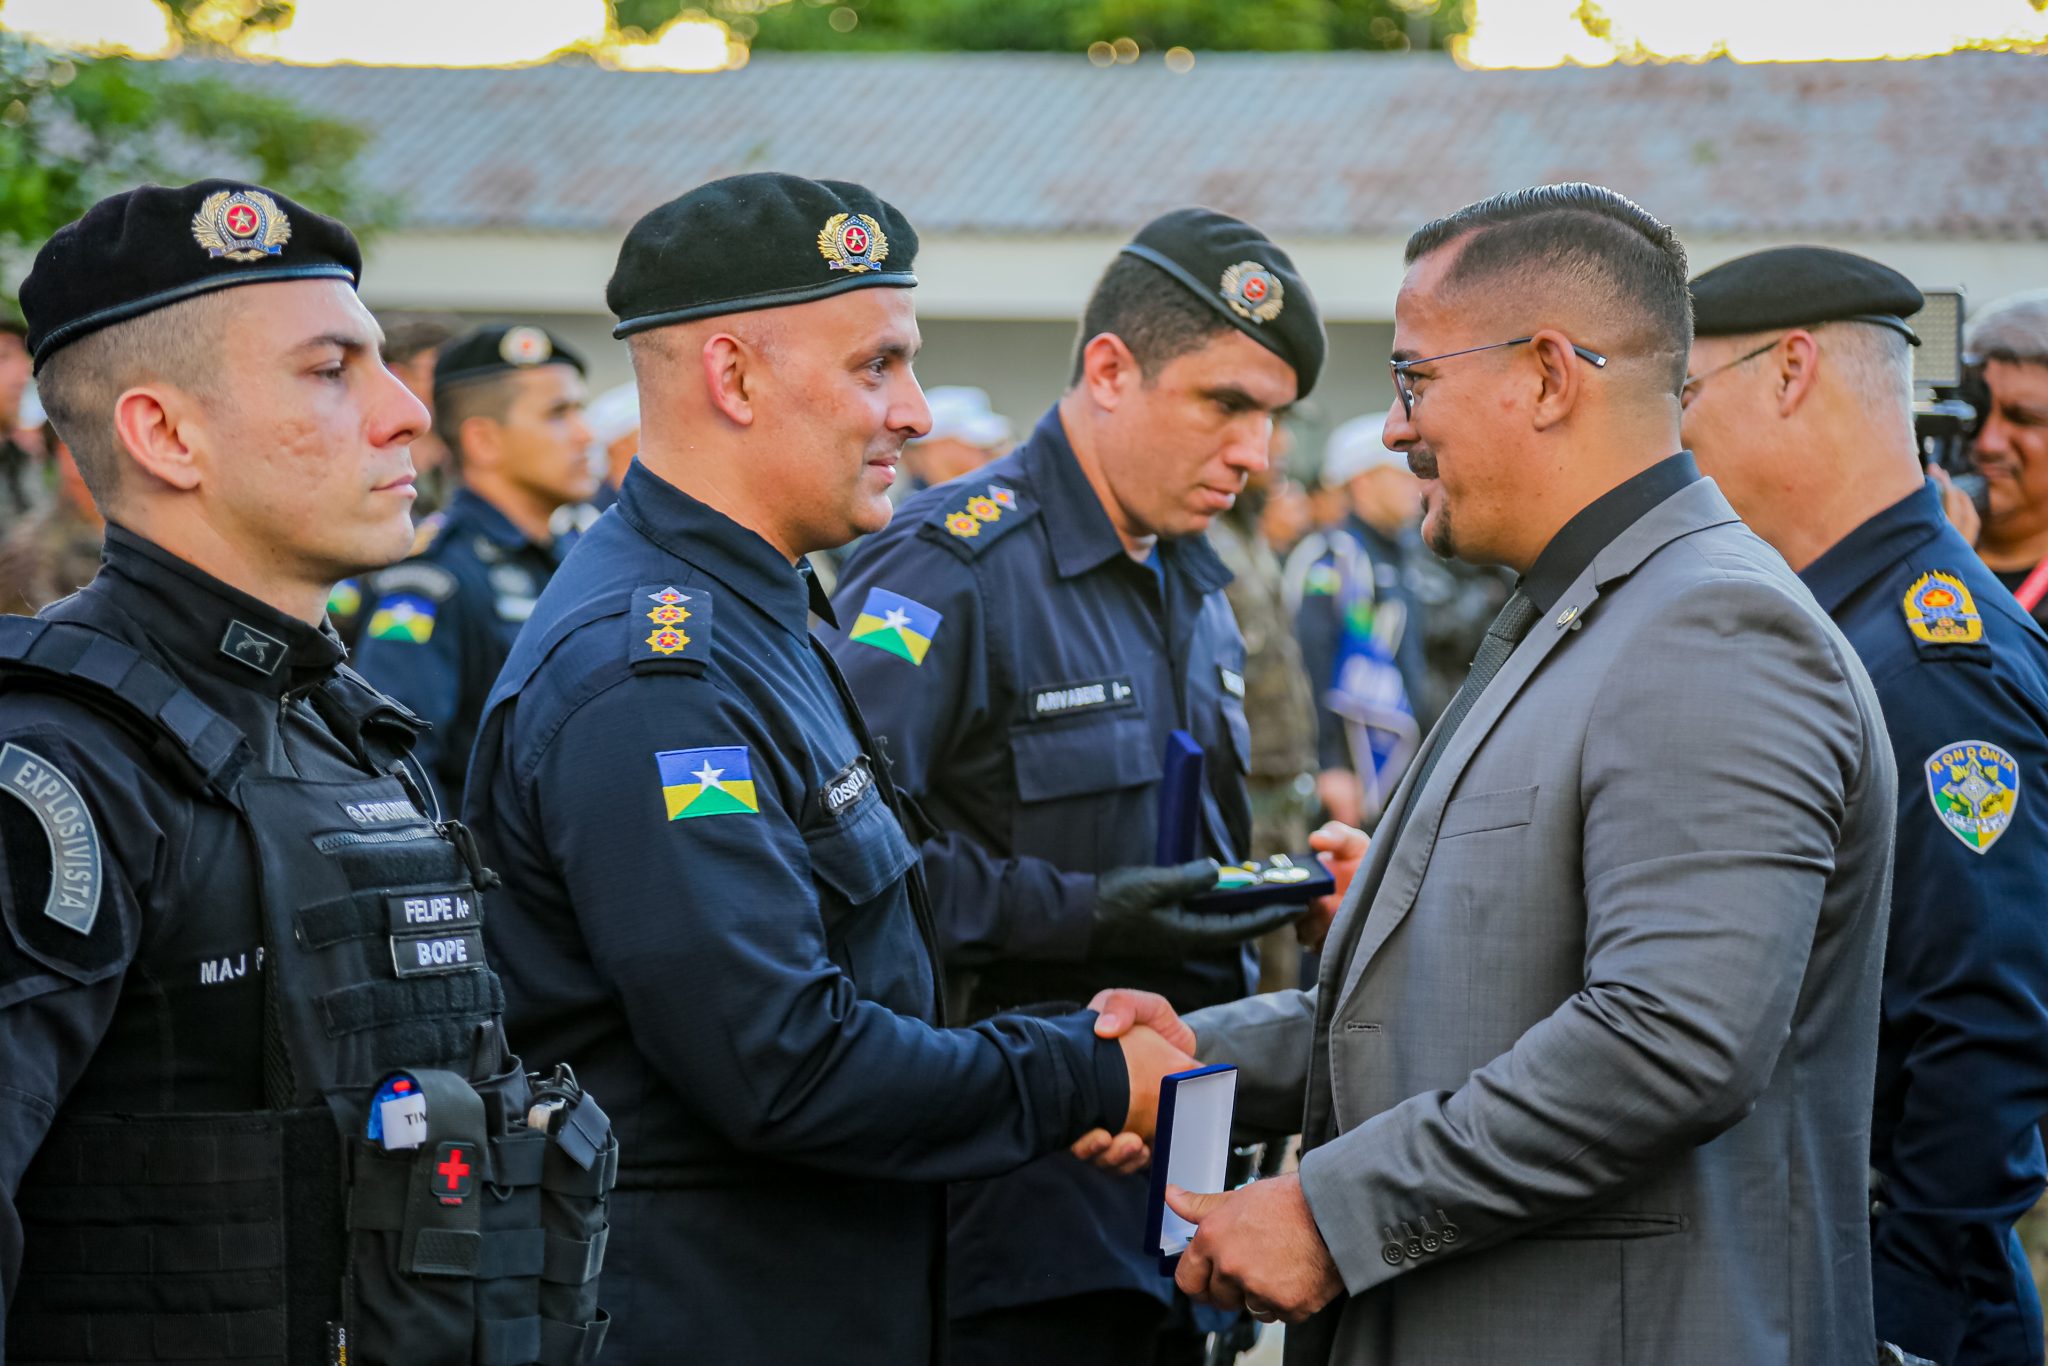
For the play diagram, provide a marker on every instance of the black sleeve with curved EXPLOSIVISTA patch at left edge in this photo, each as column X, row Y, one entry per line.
column 77, row 839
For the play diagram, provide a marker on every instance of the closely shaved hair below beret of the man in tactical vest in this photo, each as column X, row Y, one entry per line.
column 177, row 345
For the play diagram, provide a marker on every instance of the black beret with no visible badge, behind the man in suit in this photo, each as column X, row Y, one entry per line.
column 1799, row 288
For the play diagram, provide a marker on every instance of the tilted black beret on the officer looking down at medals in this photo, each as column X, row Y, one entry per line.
column 1252, row 284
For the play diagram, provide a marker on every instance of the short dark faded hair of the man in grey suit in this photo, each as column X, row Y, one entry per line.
column 1582, row 243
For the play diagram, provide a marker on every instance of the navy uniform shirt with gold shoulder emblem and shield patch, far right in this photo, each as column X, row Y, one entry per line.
column 1963, row 1050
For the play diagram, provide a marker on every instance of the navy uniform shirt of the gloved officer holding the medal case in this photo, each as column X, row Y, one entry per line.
column 1023, row 675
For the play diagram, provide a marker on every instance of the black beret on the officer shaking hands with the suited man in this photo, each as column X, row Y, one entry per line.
column 757, row 243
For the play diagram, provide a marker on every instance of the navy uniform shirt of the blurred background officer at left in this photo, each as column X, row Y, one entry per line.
column 441, row 626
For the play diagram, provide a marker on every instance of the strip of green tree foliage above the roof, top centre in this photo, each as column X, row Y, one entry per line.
column 1068, row 26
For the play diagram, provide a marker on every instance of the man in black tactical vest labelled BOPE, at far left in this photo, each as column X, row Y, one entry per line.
column 255, row 1084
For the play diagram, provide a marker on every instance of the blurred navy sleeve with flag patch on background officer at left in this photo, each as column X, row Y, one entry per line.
column 413, row 650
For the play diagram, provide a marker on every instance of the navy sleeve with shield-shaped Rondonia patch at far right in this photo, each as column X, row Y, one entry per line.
column 1965, row 998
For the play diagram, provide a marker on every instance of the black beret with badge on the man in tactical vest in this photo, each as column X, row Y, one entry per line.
column 138, row 251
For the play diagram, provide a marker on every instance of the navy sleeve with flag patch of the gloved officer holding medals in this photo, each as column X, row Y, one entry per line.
column 925, row 701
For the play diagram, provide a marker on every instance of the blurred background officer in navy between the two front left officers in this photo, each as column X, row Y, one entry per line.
column 509, row 402
